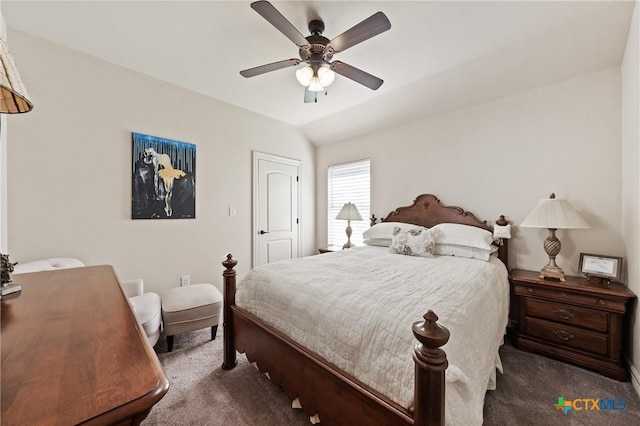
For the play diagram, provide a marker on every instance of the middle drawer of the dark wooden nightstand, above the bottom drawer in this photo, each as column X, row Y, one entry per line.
column 568, row 314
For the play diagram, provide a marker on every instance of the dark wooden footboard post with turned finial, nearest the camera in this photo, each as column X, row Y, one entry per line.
column 431, row 363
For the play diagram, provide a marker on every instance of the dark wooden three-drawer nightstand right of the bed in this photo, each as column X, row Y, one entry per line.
column 577, row 321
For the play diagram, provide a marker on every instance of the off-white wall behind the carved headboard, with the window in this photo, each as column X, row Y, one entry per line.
column 501, row 158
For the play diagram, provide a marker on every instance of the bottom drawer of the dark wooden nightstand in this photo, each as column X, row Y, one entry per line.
column 567, row 335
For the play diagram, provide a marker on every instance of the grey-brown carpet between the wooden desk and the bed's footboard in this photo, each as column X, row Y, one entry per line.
column 201, row 393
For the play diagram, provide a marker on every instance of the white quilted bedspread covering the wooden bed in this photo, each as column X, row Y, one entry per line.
column 355, row 309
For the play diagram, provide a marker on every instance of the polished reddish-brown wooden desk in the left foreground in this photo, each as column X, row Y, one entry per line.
column 73, row 352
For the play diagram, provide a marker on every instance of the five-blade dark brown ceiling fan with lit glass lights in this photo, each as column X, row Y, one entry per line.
column 317, row 51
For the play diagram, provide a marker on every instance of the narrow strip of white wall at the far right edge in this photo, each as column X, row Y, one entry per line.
column 631, row 175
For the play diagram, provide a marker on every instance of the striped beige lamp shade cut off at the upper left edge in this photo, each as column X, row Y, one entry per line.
column 13, row 95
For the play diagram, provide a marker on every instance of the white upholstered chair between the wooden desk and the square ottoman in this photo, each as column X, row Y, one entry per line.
column 146, row 306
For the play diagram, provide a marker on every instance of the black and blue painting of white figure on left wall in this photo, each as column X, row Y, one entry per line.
column 164, row 178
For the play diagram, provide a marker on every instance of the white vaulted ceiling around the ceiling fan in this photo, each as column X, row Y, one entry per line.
column 437, row 56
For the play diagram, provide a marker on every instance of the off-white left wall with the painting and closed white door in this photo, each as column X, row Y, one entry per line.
column 69, row 171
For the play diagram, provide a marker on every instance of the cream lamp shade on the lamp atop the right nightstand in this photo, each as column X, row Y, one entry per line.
column 553, row 213
